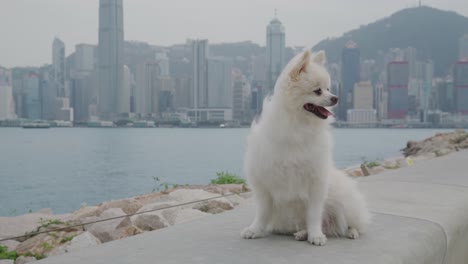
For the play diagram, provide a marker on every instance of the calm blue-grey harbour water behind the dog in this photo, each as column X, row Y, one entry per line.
column 62, row 168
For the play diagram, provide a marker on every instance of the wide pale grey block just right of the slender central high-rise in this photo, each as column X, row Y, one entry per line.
column 219, row 83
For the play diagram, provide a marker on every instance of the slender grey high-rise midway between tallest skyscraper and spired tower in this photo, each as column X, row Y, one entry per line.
column 200, row 55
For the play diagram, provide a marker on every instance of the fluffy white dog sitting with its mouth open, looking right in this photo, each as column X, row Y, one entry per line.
column 288, row 161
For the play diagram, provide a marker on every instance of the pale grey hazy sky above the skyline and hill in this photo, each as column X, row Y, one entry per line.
column 27, row 27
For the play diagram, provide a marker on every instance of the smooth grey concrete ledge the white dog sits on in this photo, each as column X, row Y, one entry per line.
column 420, row 216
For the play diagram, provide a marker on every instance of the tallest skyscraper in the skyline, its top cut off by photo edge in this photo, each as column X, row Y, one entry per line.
column 110, row 58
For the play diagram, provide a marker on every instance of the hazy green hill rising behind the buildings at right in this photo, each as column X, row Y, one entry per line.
column 433, row 32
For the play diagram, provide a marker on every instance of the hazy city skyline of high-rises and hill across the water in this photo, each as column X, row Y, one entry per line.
column 201, row 82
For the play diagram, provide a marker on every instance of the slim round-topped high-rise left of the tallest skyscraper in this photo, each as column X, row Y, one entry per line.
column 58, row 67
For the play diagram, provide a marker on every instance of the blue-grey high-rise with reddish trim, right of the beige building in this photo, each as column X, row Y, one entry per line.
column 397, row 88
